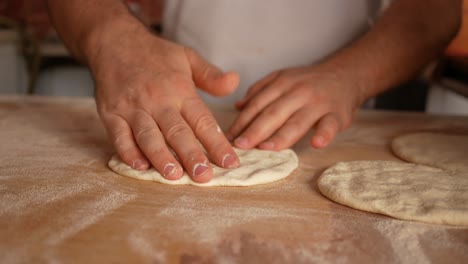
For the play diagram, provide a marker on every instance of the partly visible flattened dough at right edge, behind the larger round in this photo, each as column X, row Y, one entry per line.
column 443, row 151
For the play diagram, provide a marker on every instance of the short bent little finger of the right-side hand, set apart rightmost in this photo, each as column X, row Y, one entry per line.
column 325, row 131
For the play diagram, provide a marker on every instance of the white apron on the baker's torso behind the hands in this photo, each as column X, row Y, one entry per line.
column 256, row 37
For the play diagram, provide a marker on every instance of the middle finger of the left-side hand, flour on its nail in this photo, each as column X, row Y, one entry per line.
column 182, row 140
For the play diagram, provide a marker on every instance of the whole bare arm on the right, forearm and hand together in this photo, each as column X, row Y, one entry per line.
column 282, row 107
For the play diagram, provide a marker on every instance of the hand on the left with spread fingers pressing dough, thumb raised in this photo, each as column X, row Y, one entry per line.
column 146, row 98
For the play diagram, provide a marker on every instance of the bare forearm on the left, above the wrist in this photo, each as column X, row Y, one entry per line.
column 87, row 25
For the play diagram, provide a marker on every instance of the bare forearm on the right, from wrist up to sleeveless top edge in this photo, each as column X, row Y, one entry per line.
column 407, row 37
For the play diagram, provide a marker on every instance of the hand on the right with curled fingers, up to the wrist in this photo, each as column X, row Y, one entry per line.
column 281, row 108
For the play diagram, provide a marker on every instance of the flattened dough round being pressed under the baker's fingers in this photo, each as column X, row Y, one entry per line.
column 257, row 167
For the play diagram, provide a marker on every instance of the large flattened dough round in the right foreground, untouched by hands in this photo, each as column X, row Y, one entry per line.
column 401, row 190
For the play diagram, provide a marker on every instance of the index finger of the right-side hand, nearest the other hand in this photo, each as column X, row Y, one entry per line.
column 254, row 107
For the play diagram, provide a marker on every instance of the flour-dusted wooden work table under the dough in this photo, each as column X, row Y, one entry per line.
column 59, row 202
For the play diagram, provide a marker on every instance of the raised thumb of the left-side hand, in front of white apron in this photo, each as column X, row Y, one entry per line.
column 209, row 77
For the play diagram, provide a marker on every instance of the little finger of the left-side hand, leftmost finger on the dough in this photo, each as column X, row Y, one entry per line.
column 123, row 141
